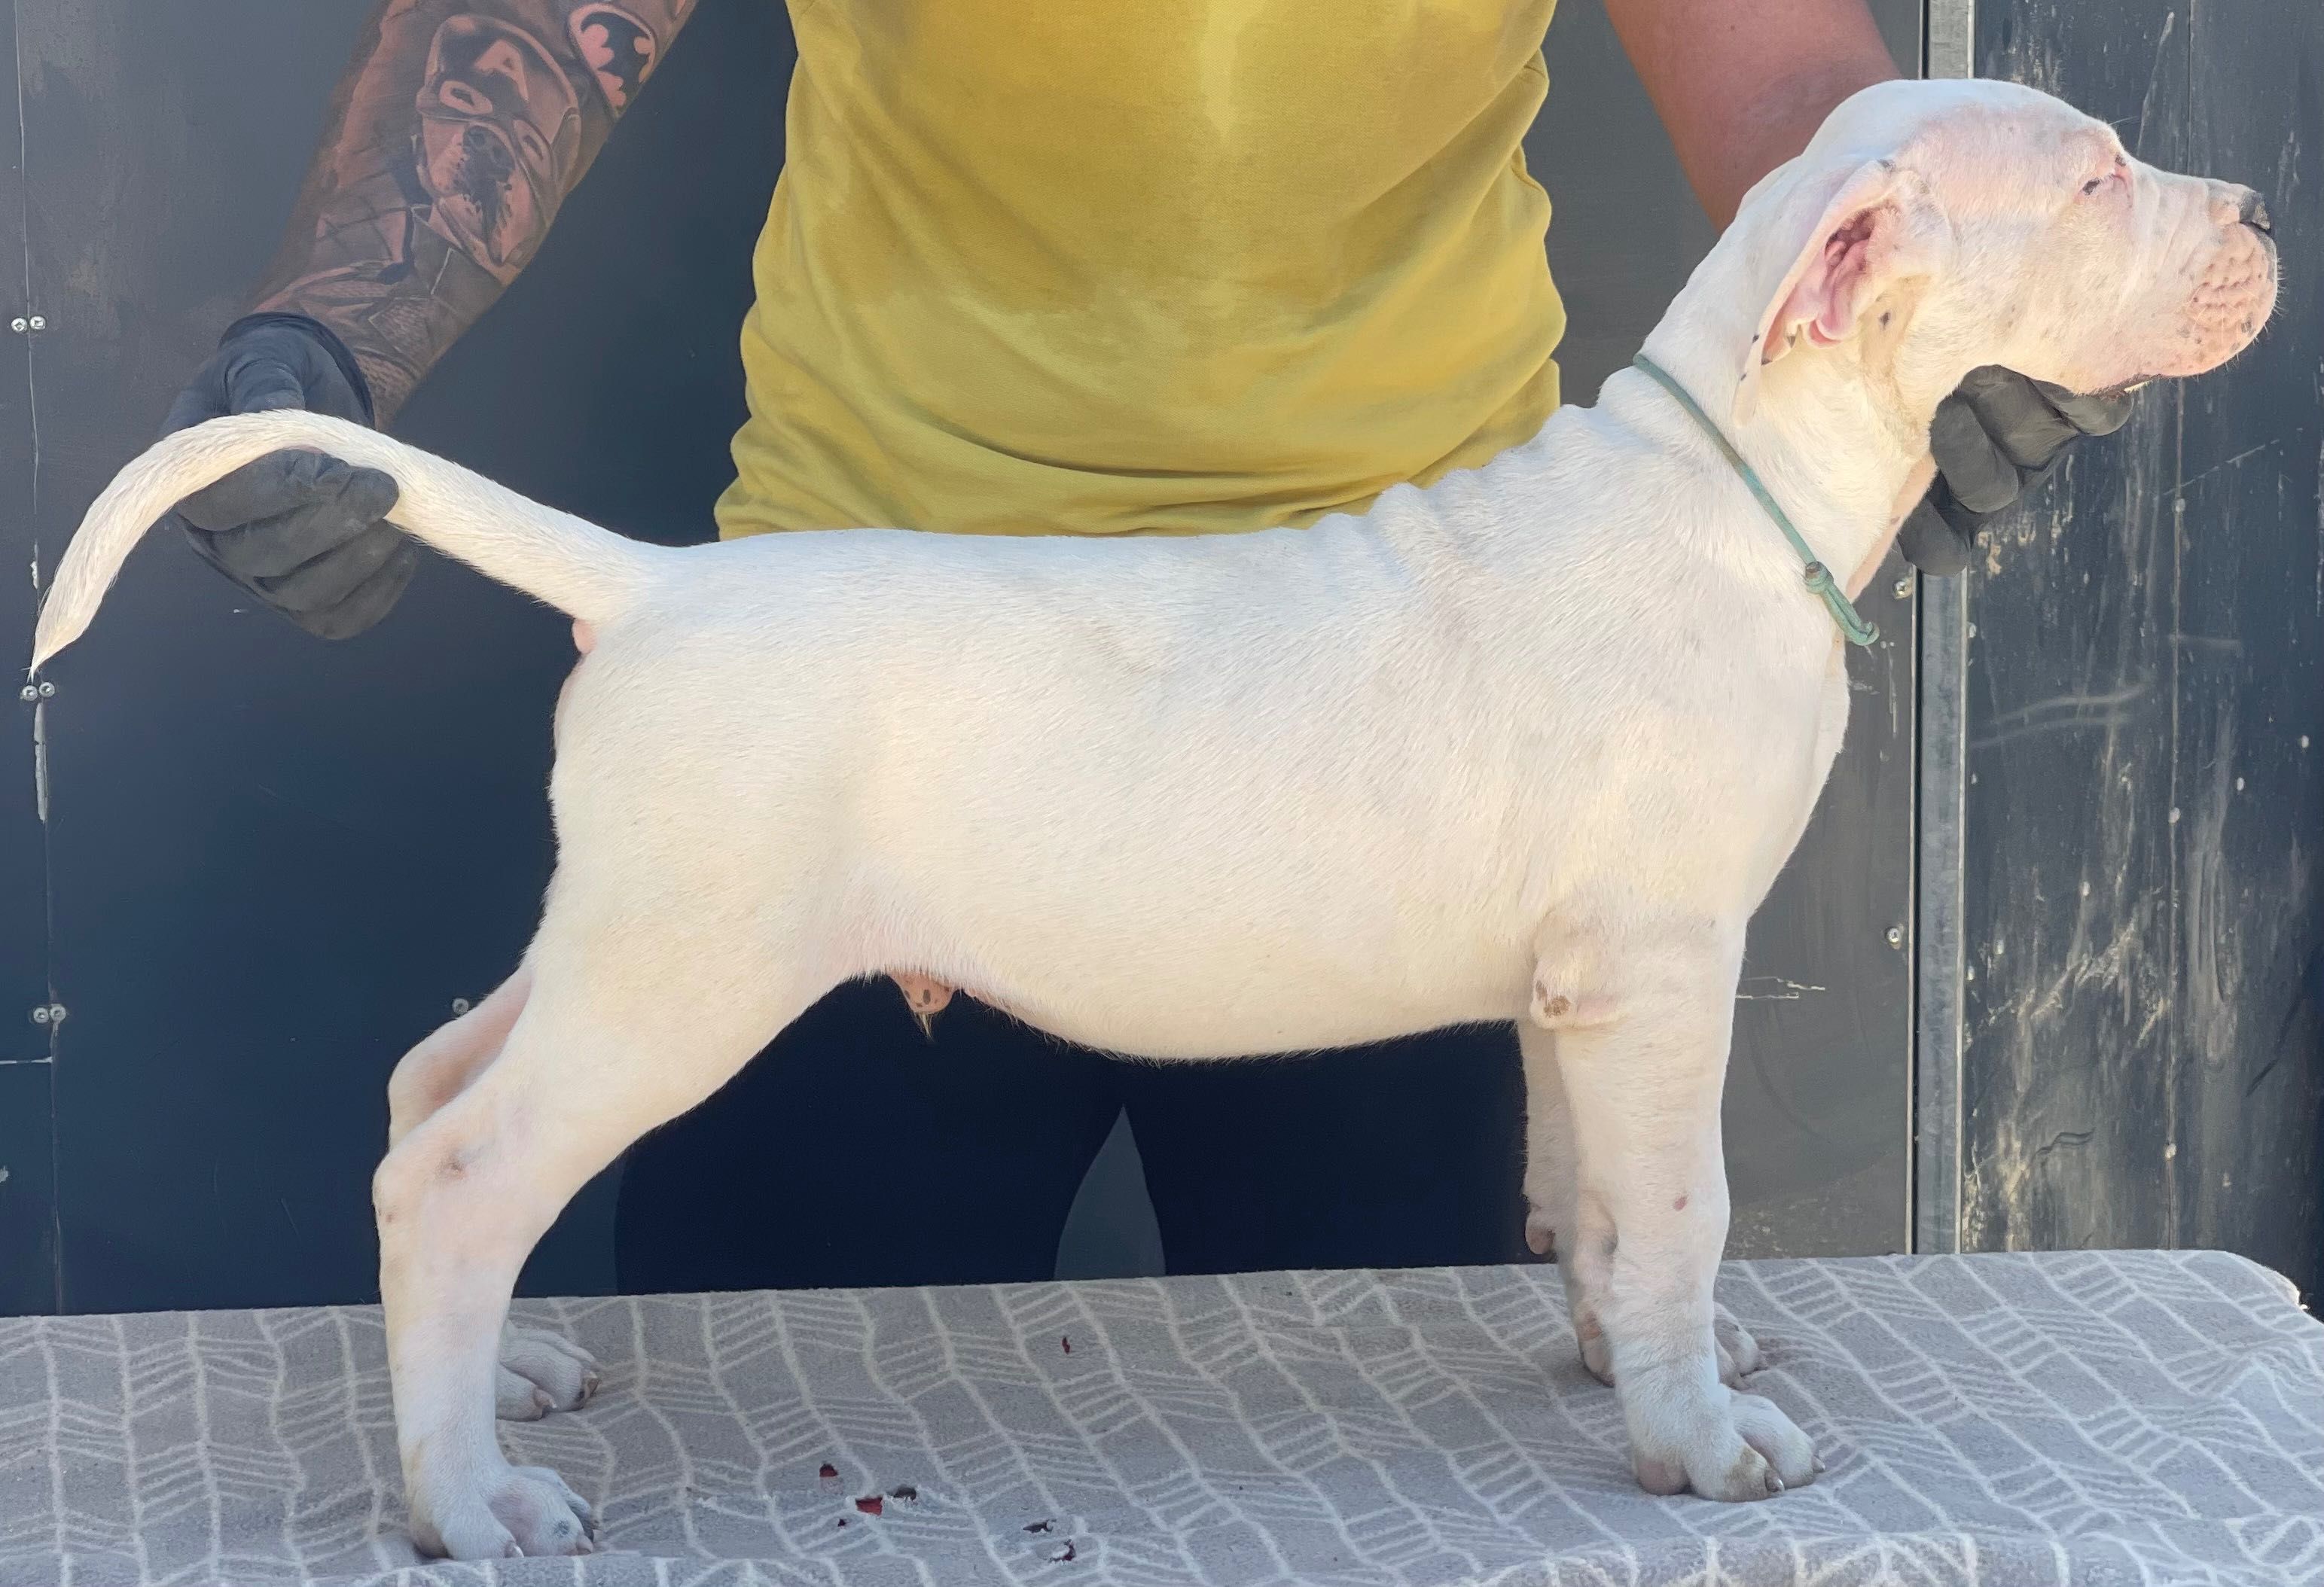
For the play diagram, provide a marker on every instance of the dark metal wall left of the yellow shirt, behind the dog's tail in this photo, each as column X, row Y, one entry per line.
column 275, row 863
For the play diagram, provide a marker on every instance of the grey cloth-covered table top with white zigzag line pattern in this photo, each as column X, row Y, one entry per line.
column 2030, row 1419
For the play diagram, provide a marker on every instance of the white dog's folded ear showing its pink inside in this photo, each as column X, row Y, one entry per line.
column 1842, row 245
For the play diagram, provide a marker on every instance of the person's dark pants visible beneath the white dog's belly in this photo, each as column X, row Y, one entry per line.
column 859, row 1154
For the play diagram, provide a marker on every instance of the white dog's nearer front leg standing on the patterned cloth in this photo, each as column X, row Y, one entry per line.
column 1651, row 1223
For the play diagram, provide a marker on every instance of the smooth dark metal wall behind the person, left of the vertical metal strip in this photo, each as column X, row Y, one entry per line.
column 278, row 863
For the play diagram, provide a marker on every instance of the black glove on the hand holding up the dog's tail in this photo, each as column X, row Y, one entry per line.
column 303, row 533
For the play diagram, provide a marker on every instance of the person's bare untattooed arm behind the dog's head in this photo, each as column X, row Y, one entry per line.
column 1742, row 85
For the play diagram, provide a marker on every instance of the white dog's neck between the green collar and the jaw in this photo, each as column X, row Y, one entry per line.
column 1837, row 436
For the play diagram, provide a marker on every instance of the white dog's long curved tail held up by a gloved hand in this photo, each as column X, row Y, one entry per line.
column 552, row 556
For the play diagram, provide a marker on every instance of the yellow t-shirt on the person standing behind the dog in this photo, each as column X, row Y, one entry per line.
column 1163, row 266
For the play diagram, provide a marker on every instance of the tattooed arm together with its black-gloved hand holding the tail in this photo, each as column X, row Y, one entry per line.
column 450, row 148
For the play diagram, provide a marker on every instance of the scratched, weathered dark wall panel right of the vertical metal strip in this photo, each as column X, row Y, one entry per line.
column 2146, row 719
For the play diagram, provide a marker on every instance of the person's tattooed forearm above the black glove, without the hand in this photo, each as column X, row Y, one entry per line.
column 452, row 143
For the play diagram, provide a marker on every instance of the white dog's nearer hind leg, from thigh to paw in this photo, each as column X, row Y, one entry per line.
column 636, row 1014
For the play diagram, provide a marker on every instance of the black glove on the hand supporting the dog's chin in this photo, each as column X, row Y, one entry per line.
column 1995, row 440
